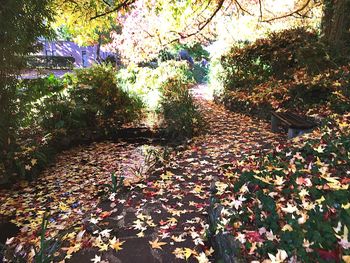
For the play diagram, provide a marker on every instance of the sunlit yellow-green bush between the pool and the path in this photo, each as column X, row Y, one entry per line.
column 165, row 90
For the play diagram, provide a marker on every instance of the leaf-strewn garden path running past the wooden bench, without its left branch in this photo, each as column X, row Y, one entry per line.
column 170, row 212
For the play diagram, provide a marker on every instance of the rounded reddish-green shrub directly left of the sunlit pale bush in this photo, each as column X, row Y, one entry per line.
column 96, row 89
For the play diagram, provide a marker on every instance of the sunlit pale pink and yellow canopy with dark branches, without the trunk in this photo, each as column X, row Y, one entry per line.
column 151, row 26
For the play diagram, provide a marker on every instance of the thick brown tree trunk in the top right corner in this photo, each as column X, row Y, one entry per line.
column 336, row 24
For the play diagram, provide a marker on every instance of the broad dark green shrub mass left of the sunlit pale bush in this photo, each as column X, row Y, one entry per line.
column 51, row 111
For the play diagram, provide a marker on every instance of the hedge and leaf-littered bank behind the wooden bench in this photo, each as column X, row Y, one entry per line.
column 289, row 70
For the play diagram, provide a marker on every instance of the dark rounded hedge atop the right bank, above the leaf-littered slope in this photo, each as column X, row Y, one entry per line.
column 277, row 56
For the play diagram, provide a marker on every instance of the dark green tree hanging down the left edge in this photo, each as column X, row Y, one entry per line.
column 21, row 23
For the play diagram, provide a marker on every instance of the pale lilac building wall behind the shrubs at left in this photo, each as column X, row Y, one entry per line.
column 68, row 48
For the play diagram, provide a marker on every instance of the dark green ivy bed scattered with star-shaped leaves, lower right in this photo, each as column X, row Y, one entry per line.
column 294, row 203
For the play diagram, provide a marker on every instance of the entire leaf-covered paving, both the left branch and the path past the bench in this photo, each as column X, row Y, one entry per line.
column 162, row 219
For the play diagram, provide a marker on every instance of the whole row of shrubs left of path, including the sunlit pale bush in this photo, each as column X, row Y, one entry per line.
column 90, row 104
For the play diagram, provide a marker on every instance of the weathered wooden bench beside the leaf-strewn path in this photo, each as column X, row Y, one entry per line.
column 296, row 125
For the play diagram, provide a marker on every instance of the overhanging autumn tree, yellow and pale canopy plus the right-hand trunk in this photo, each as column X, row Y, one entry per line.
column 188, row 19
